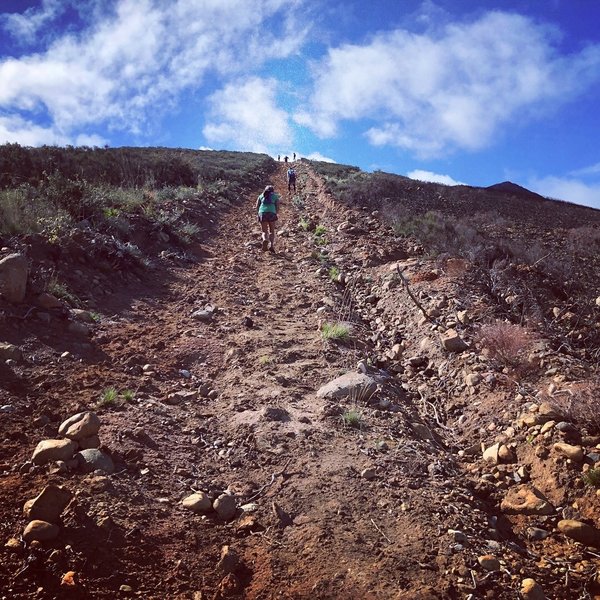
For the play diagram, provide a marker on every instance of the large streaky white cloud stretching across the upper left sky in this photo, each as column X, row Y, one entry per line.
column 135, row 60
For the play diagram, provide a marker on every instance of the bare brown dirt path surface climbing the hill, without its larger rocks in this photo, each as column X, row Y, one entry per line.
column 251, row 424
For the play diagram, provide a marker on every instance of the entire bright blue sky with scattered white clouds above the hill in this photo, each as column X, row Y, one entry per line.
column 441, row 90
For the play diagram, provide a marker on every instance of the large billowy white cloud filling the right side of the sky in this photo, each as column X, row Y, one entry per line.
column 451, row 88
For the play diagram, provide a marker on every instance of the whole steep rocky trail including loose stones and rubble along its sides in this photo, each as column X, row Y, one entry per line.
column 241, row 454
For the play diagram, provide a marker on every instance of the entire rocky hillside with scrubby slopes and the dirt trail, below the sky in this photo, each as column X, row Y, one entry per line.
column 401, row 402
